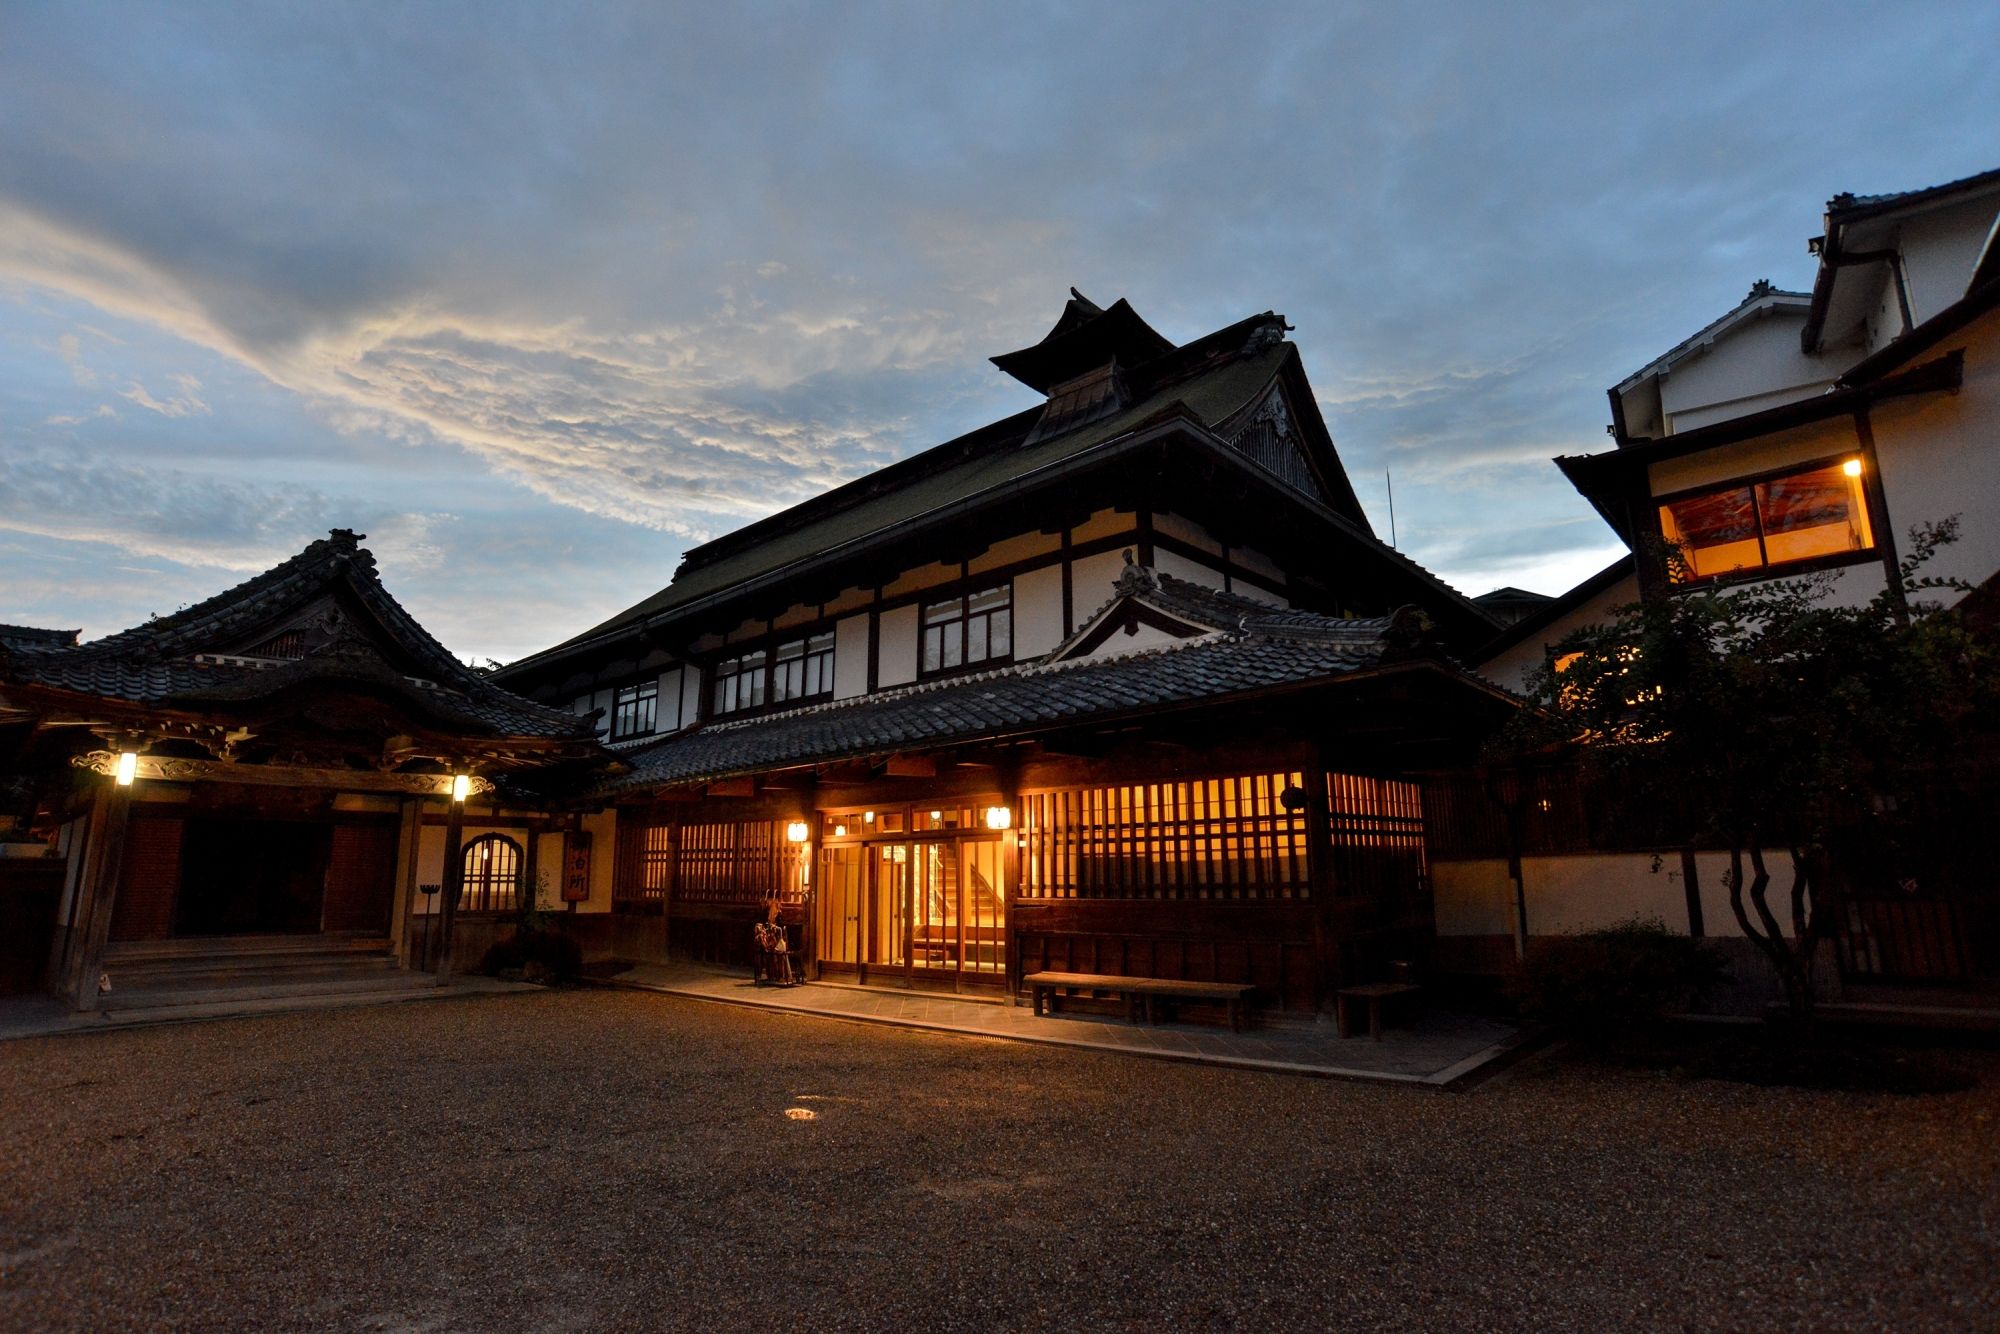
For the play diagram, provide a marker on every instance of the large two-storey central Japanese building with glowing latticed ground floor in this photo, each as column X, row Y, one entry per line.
column 1121, row 683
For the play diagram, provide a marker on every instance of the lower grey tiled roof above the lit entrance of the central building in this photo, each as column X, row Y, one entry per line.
column 1259, row 651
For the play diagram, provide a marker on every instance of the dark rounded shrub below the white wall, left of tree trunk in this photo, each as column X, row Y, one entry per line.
column 1617, row 981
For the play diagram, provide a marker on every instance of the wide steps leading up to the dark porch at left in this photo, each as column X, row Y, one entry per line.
column 169, row 977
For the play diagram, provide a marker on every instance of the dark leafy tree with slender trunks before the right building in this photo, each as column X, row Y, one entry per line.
column 1767, row 717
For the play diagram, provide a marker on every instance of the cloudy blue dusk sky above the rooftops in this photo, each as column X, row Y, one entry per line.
column 541, row 295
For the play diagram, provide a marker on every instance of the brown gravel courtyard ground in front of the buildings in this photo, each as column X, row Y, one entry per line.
column 619, row 1161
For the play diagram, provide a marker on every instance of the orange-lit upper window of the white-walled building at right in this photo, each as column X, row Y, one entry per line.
column 1783, row 521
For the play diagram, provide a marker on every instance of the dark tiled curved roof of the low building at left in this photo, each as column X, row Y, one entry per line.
column 207, row 653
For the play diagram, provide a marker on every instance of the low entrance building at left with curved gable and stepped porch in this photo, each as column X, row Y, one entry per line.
column 269, row 783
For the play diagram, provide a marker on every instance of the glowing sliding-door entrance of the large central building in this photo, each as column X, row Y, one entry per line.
column 915, row 913
